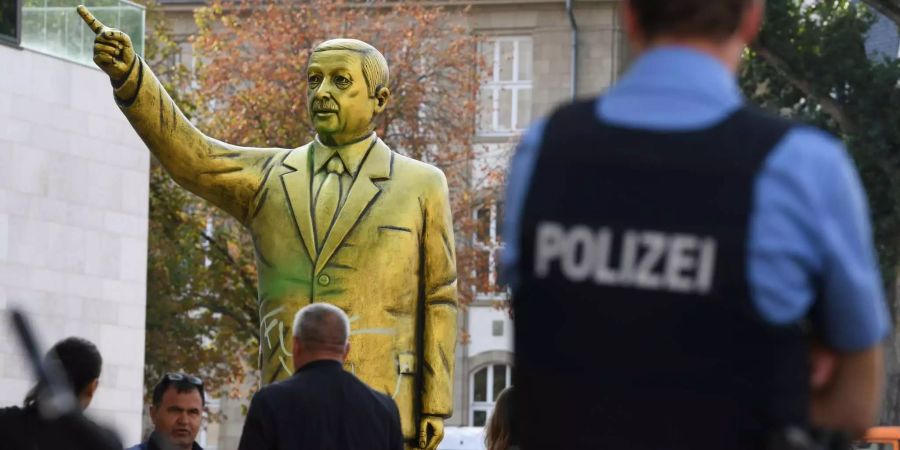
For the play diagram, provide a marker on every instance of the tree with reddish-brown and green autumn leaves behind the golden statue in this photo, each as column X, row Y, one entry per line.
column 249, row 88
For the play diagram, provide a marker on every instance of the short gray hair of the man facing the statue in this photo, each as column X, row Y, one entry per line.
column 322, row 324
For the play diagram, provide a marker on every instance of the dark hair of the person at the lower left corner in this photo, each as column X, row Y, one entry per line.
column 81, row 362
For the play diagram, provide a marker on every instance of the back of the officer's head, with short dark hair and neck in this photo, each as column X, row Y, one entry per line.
column 722, row 27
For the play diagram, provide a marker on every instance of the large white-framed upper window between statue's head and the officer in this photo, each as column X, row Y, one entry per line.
column 505, row 95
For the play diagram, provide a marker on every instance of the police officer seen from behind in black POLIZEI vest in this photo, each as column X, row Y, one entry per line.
column 673, row 253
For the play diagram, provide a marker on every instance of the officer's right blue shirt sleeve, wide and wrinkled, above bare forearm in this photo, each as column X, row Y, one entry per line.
column 811, row 240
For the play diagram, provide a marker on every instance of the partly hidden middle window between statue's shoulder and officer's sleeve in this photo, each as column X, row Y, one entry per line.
column 488, row 220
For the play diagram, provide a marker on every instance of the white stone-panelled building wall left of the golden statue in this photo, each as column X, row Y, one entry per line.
column 73, row 226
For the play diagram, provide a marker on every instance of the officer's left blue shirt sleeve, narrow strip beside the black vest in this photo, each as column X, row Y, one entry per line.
column 521, row 168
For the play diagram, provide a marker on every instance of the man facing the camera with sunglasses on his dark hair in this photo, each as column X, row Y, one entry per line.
column 177, row 413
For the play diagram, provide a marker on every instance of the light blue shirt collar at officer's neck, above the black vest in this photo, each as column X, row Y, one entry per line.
column 682, row 71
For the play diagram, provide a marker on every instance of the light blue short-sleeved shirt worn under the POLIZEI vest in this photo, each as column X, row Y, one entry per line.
column 810, row 219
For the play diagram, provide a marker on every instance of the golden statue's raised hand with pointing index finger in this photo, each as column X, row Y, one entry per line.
column 113, row 51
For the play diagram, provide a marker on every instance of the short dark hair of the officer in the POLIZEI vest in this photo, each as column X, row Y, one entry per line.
column 715, row 19
